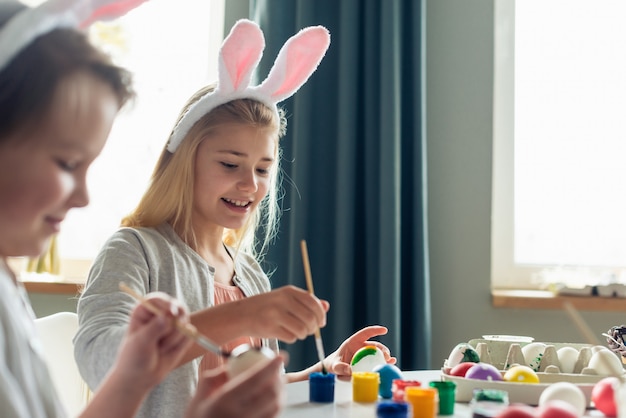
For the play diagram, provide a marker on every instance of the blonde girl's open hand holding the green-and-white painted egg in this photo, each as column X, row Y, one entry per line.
column 338, row 362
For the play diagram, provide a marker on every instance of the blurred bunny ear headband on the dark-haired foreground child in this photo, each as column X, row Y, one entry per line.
column 30, row 23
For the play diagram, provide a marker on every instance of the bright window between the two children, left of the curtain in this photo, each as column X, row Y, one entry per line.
column 171, row 48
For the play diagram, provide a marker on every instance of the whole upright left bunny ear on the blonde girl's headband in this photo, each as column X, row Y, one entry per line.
column 239, row 56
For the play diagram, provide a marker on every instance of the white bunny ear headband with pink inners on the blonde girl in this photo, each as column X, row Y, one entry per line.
column 239, row 56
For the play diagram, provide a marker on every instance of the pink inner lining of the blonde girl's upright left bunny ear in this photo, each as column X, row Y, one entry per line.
column 241, row 52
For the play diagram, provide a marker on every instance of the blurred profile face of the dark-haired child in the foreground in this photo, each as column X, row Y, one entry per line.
column 43, row 169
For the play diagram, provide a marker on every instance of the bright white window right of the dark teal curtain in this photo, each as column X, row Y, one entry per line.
column 559, row 200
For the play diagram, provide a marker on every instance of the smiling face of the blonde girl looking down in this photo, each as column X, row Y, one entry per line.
column 232, row 174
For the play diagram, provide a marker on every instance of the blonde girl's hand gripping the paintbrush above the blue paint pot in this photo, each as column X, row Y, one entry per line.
column 287, row 313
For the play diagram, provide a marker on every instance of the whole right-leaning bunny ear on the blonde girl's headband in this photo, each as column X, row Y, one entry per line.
column 295, row 63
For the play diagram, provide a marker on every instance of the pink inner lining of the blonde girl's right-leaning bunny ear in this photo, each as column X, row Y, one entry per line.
column 301, row 60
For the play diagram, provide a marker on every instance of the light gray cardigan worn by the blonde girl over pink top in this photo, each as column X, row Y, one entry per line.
column 148, row 260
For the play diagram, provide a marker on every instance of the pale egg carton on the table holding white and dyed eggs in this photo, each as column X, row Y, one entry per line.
column 505, row 352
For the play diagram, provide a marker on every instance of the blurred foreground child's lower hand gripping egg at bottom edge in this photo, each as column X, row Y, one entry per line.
column 258, row 392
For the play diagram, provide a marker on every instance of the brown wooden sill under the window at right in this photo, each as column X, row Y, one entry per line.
column 540, row 299
